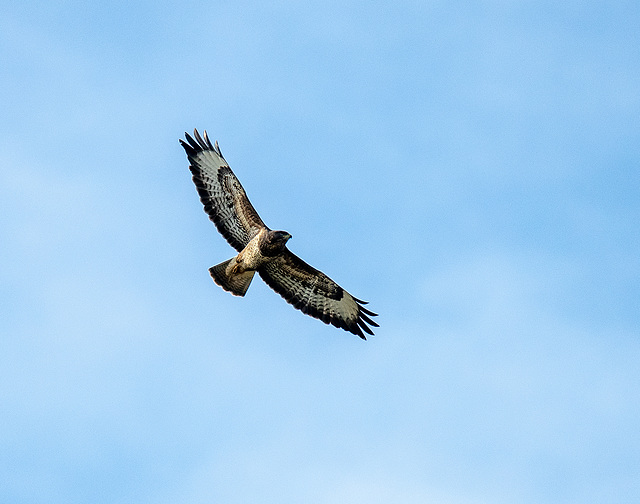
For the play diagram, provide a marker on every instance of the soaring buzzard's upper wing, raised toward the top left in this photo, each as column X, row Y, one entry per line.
column 220, row 191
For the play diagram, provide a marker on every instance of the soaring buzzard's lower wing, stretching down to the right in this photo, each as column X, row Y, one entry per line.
column 315, row 294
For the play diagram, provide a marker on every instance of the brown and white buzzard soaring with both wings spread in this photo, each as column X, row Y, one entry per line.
column 263, row 250
